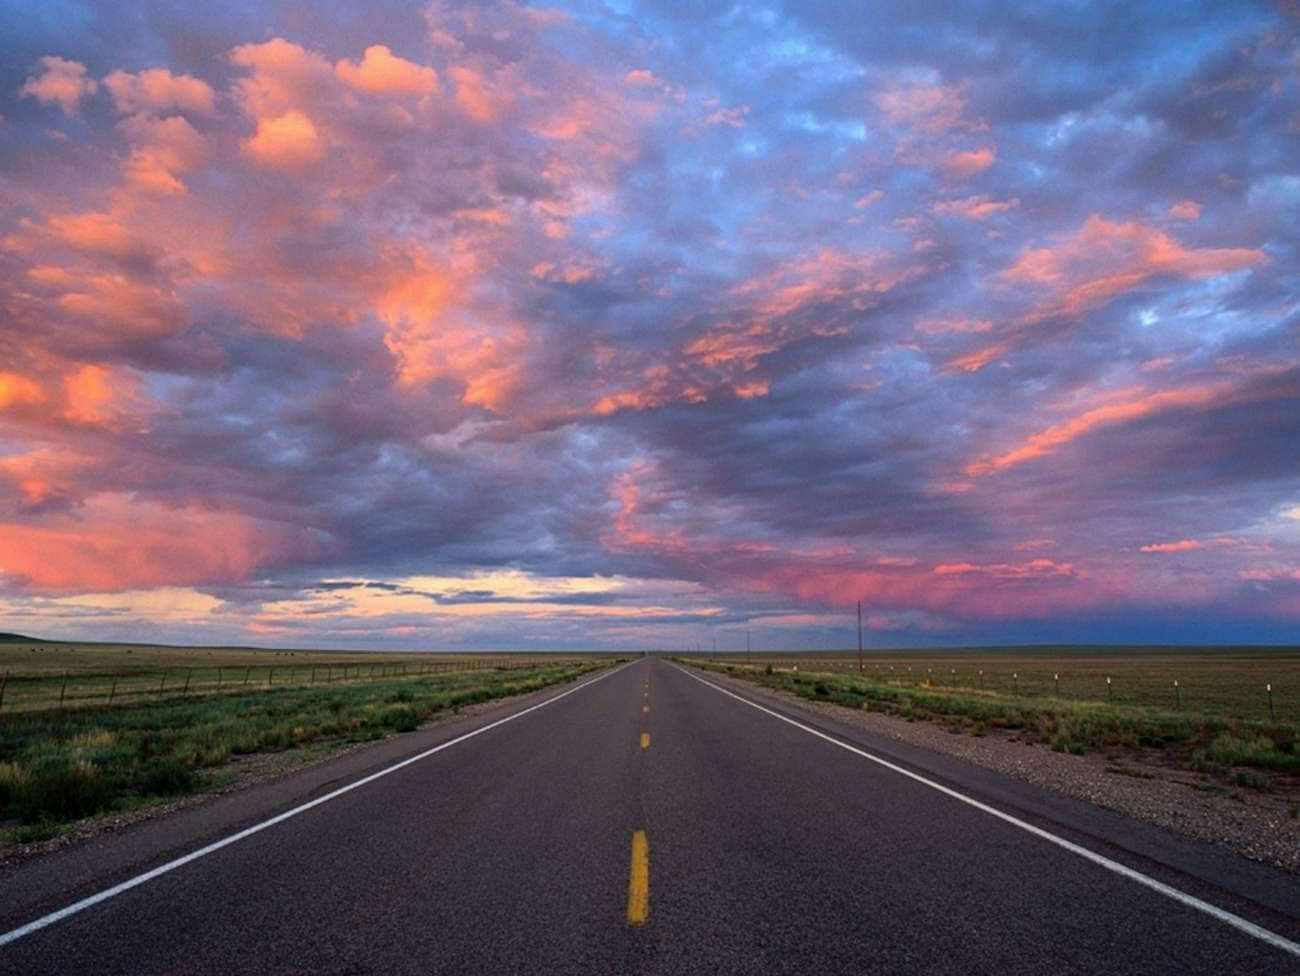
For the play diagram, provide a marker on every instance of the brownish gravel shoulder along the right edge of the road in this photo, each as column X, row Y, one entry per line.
column 1142, row 784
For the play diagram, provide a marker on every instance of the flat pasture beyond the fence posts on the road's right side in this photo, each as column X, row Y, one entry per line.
column 1230, row 683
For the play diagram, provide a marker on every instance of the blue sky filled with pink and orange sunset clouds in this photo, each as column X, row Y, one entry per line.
column 643, row 326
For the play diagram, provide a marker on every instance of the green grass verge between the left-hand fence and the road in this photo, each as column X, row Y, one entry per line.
column 59, row 766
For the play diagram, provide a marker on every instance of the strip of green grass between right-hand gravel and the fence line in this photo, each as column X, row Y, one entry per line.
column 1211, row 740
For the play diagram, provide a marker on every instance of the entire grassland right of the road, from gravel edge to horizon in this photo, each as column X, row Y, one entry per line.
column 1220, row 726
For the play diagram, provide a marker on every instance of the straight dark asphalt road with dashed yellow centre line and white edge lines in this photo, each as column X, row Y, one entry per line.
column 766, row 849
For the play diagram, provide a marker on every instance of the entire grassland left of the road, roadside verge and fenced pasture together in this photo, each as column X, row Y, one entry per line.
column 59, row 765
